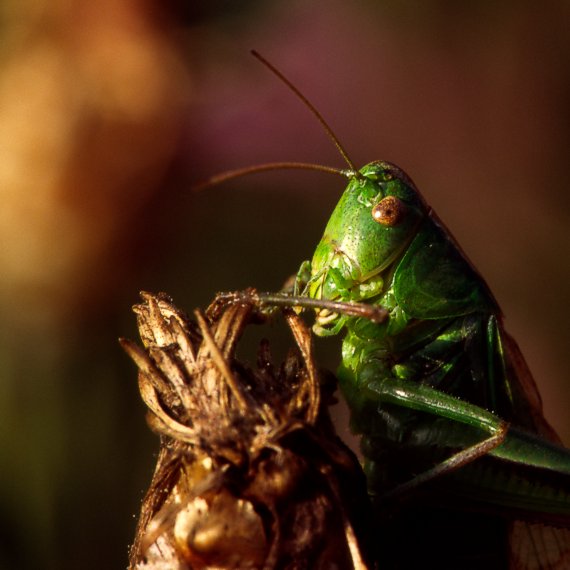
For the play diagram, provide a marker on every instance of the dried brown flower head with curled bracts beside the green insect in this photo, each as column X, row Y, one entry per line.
column 250, row 473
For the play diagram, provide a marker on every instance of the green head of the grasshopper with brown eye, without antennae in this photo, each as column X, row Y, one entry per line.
column 374, row 221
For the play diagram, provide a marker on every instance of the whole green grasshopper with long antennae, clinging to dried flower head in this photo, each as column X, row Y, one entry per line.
column 450, row 416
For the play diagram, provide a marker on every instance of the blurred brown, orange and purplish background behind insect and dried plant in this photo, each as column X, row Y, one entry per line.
column 110, row 111
